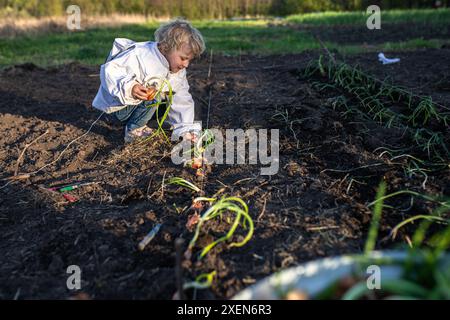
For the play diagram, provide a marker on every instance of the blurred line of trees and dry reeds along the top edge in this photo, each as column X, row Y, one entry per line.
column 202, row 9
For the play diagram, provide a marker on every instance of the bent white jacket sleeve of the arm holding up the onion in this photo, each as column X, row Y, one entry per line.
column 118, row 77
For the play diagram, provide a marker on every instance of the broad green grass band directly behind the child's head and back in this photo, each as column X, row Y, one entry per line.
column 92, row 46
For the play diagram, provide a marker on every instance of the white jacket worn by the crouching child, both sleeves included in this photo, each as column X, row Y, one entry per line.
column 130, row 63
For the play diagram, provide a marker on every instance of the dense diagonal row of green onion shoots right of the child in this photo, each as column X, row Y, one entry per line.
column 417, row 115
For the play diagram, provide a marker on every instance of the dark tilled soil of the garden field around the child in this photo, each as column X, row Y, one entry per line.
column 315, row 206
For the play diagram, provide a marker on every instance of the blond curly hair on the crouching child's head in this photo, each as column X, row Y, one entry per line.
column 178, row 32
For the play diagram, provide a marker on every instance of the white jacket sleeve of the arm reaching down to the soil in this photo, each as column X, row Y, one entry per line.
column 181, row 114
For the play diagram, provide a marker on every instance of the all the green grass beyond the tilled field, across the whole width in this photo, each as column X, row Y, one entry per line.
column 224, row 37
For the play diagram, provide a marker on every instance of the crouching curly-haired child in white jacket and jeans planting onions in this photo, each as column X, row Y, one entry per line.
column 133, row 66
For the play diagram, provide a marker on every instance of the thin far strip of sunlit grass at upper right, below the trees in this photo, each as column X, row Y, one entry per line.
column 441, row 16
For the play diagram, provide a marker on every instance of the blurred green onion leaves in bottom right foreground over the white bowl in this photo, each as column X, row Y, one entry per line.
column 425, row 273
